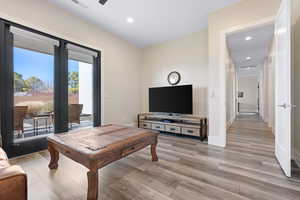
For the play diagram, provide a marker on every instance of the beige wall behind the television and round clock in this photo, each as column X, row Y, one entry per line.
column 187, row 55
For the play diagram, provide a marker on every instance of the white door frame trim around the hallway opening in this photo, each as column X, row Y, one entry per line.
column 222, row 139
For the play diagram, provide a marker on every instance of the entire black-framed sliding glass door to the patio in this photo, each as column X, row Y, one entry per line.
column 47, row 86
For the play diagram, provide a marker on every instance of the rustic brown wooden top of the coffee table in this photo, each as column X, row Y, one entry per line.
column 93, row 140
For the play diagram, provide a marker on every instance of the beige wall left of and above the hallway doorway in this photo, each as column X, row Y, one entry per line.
column 239, row 14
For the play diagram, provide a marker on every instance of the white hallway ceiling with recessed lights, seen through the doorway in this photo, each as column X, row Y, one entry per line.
column 257, row 48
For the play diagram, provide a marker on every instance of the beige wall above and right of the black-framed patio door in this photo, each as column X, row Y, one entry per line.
column 120, row 60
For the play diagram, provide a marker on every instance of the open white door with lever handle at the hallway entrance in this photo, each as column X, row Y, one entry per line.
column 283, row 87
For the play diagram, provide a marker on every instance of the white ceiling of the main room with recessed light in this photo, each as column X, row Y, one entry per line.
column 155, row 20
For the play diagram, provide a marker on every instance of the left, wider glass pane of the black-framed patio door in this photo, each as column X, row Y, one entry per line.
column 33, row 64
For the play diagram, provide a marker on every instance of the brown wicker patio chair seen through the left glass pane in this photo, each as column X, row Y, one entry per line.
column 19, row 116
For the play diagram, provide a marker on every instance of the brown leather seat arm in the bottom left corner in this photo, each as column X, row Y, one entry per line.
column 13, row 183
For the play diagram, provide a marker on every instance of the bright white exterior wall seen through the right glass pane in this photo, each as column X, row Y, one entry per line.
column 86, row 87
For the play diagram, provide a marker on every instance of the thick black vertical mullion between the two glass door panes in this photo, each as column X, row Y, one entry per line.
column 61, row 88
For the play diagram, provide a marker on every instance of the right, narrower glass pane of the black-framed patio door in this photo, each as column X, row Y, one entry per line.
column 80, row 82
